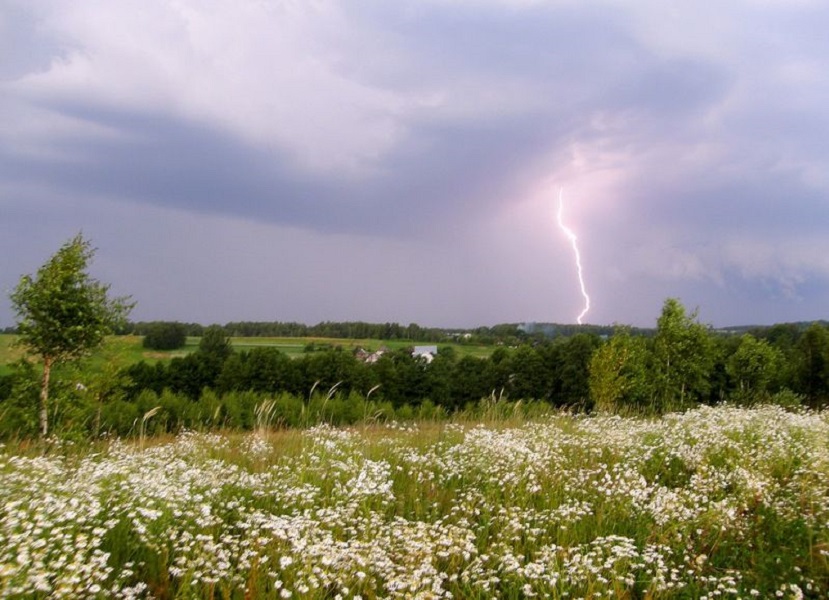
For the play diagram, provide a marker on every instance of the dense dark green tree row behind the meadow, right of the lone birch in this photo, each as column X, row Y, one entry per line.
column 683, row 363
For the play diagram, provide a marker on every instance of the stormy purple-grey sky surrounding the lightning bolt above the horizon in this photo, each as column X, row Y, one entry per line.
column 316, row 160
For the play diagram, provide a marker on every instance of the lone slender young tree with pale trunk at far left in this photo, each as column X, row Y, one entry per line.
column 63, row 313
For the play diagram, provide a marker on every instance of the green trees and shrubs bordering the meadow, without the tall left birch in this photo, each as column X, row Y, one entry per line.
column 220, row 384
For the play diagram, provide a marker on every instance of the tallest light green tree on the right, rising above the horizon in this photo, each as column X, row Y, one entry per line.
column 683, row 358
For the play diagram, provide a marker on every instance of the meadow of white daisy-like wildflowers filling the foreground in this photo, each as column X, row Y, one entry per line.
column 713, row 503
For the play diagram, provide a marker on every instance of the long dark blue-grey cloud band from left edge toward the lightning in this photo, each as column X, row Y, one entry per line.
column 166, row 162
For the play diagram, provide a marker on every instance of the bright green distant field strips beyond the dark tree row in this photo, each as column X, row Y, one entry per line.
column 127, row 349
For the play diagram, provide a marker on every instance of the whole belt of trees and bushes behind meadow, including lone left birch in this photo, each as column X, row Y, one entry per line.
column 64, row 314
